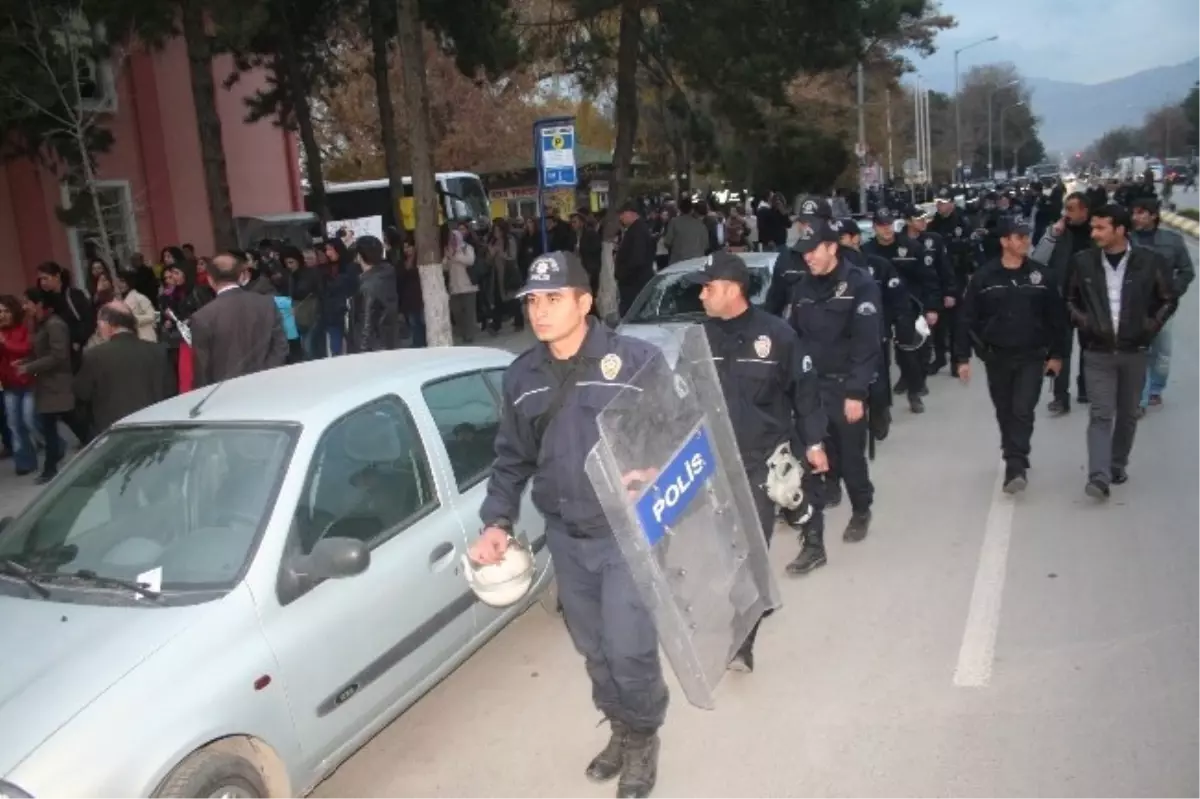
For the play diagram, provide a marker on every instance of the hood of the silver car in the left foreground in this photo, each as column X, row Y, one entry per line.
column 58, row 658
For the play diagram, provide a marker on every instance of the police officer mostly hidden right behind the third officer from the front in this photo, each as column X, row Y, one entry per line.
column 898, row 309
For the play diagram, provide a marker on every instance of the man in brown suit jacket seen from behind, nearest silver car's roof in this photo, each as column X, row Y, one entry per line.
column 239, row 333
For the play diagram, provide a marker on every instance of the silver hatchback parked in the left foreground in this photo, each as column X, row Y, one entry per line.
column 229, row 593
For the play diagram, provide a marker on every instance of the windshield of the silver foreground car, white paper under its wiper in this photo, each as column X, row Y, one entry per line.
column 178, row 508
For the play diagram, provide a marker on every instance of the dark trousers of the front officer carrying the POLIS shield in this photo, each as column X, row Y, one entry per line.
column 611, row 628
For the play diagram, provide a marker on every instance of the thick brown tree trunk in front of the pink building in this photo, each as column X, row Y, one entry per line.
column 208, row 123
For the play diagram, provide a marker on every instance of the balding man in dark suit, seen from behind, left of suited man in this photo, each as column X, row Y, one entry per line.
column 125, row 374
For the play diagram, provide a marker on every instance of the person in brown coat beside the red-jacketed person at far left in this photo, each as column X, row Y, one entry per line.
column 51, row 369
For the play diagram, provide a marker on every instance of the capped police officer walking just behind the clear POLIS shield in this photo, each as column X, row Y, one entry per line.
column 770, row 386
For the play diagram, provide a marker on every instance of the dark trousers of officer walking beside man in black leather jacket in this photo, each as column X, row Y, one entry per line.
column 1015, row 381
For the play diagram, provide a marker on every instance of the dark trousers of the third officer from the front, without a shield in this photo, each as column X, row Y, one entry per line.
column 845, row 449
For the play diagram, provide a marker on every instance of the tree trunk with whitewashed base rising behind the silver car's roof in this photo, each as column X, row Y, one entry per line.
column 425, row 196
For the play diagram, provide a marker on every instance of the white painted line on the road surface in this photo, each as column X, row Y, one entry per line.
column 979, row 651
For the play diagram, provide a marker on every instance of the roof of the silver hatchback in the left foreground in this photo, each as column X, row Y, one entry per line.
column 317, row 393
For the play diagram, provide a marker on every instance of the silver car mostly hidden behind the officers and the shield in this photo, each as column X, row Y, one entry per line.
column 667, row 305
